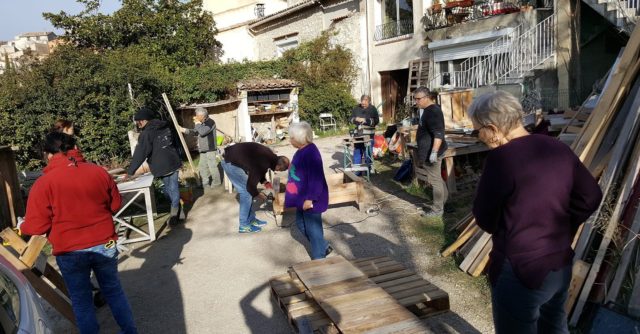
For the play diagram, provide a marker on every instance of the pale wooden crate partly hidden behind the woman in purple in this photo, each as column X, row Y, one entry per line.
column 343, row 188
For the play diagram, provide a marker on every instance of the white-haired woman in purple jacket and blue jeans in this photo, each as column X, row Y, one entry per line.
column 307, row 189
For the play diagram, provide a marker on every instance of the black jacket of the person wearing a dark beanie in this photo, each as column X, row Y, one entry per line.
column 156, row 145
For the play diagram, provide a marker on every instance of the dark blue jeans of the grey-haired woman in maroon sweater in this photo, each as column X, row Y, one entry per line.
column 518, row 309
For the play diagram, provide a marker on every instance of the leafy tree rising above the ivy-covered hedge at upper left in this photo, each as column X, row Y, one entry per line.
column 178, row 32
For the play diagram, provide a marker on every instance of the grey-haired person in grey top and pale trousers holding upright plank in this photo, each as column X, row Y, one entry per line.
column 205, row 129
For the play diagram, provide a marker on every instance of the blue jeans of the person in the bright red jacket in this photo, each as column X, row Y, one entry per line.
column 76, row 270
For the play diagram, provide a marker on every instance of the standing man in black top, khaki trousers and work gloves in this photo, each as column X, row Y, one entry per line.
column 431, row 145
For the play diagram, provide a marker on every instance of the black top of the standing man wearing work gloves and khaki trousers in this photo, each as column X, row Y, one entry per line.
column 430, row 126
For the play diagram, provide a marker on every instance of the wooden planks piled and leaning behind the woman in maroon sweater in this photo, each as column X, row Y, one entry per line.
column 607, row 140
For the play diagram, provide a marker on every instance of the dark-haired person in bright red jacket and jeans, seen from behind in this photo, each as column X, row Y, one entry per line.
column 73, row 203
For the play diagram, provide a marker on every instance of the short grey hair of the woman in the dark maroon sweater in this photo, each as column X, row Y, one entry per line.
column 499, row 108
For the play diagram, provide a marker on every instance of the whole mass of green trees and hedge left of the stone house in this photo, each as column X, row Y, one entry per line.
column 156, row 46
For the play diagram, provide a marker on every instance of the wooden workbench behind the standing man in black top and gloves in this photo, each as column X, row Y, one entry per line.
column 454, row 149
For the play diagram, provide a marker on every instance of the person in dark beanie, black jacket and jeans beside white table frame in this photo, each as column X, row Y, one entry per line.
column 155, row 144
